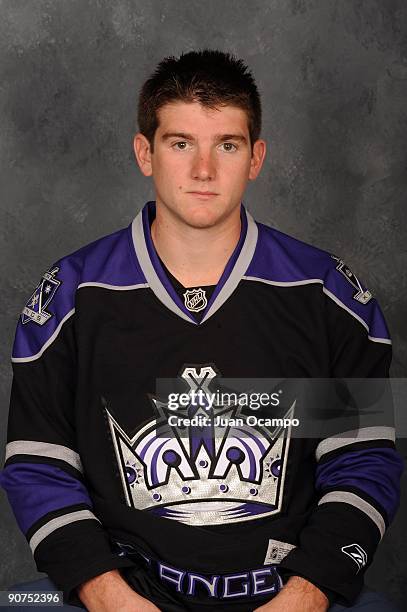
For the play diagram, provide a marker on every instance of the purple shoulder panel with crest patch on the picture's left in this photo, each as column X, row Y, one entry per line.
column 111, row 260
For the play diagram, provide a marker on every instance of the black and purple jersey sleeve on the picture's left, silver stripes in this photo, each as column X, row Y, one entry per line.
column 43, row 474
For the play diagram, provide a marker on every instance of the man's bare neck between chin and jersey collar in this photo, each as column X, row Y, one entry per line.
column 195, row 256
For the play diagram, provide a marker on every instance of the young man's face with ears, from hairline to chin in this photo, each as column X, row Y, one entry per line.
column 201, row 163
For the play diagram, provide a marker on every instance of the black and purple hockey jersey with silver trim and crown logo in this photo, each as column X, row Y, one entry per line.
column 196, row 517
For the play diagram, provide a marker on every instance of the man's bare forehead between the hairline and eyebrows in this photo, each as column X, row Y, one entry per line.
column 193, row 117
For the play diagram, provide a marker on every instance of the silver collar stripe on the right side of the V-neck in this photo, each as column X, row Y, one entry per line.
column 240, row 267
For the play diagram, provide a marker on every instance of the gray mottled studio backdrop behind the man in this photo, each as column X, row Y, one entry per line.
column 333, row 75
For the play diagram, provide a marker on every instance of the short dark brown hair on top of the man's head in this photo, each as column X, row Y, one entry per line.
column 212, row 78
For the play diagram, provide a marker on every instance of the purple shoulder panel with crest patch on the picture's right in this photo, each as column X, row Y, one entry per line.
column 283, row 259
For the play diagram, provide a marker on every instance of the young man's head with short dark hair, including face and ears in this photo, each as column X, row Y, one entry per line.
column 199, row 119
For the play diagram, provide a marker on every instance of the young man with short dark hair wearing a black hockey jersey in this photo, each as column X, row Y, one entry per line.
column 128, row 510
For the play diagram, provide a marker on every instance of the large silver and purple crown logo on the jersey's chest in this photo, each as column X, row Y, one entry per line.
column 202, row 474
